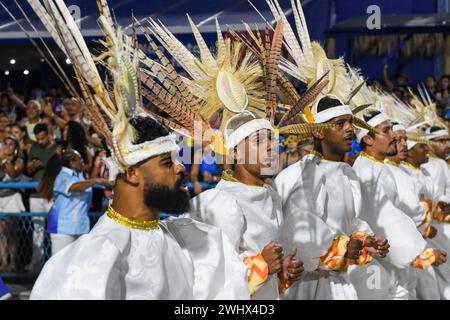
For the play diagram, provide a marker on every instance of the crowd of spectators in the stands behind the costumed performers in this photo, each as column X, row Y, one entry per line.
column 37, row 130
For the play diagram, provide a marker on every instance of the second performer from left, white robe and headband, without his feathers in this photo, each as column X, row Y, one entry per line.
column 248, row 210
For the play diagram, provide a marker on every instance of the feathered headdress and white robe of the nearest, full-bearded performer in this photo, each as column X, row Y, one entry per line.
column 122, row 258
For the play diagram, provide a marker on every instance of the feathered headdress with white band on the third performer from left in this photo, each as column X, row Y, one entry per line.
column 312, row 66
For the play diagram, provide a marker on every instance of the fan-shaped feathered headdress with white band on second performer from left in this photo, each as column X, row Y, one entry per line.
column 238, row 82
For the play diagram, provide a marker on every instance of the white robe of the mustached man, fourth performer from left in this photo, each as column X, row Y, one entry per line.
column 382, row 210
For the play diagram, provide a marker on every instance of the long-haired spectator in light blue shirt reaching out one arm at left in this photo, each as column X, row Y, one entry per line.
column 63, row 180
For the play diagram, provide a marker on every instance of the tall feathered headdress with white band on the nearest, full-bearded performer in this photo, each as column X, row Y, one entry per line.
column 111, row 104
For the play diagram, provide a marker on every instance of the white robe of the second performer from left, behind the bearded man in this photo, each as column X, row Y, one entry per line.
column 250, row 216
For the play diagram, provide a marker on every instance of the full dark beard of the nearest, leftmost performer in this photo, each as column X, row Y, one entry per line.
column 167, row 200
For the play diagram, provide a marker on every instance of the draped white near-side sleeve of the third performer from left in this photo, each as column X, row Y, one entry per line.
column 301, row 187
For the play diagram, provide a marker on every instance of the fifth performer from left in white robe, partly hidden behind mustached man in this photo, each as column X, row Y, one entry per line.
column 408, row 189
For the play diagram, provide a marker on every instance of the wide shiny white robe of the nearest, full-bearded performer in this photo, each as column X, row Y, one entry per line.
column 181, row 259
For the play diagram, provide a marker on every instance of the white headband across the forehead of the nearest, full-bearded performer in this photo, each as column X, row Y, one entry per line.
column 140, row 152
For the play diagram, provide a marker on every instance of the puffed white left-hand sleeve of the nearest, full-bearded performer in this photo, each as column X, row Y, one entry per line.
column 85, row 270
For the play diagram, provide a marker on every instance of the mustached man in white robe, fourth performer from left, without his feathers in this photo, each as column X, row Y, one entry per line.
column 382, row 210
